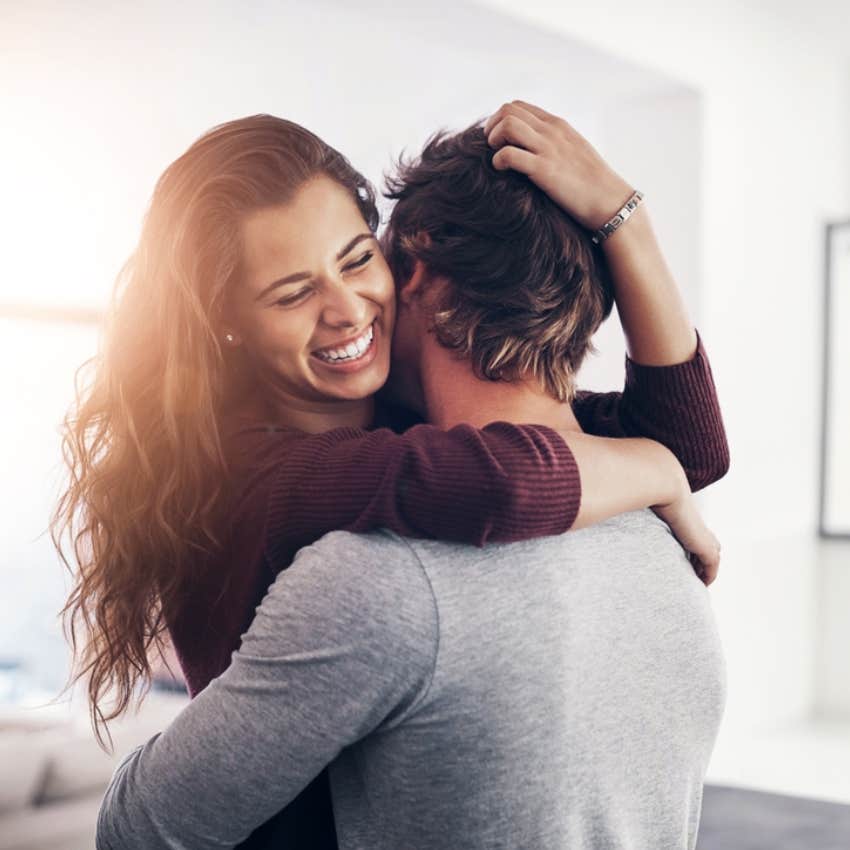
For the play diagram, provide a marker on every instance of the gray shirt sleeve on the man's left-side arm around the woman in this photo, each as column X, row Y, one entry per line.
column 344, row 641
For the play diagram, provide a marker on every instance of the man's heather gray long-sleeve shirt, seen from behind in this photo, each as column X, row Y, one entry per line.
column 563, row 692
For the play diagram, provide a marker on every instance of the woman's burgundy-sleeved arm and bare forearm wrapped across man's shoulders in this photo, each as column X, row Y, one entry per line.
column 502, row 483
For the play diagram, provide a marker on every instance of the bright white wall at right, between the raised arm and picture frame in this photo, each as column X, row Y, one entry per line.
column 775, row 89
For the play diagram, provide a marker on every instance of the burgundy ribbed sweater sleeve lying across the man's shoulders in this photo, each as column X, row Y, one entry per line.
column 500, row 483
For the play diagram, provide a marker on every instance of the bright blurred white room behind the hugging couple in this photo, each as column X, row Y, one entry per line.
column 732, row 117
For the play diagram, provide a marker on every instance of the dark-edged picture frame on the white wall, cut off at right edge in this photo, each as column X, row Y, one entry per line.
column 834, row 519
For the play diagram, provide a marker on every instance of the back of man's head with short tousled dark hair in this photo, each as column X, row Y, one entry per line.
column 516, row 286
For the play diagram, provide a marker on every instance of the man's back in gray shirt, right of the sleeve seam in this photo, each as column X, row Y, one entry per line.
column 575, row 693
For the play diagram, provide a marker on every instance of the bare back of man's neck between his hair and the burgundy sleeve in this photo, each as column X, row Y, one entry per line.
column 453, row 395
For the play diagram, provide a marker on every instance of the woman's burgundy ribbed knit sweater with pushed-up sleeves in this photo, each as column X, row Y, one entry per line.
column 501, row 483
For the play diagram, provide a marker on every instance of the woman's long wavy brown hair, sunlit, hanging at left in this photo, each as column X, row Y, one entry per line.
column 147, row 476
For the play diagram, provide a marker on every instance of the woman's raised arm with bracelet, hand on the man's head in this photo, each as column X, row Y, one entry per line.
column 669, row 394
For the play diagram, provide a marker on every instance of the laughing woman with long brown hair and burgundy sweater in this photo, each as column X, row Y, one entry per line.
column 228, row 422
